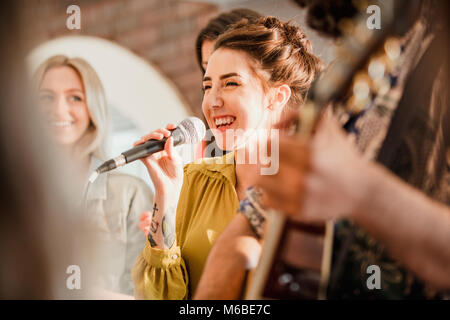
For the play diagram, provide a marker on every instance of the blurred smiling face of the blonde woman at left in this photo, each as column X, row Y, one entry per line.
column 63, row 101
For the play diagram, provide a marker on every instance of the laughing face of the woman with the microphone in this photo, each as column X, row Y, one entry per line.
column 234, row 97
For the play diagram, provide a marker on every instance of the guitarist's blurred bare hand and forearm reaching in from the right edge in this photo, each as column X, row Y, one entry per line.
column 327, row 178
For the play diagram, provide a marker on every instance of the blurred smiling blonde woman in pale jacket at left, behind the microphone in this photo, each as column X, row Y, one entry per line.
column 72, row 99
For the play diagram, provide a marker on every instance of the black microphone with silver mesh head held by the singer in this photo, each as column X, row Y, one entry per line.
column 190, row 130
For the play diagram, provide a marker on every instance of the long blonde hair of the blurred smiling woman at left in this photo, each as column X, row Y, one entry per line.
column 92, row 142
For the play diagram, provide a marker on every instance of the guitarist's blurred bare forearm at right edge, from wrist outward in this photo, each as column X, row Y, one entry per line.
column 412, row 227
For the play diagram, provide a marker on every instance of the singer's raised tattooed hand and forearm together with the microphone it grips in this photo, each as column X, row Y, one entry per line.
column 165, row 167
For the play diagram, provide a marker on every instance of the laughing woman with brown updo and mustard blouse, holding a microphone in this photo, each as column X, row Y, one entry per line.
column 256, row 72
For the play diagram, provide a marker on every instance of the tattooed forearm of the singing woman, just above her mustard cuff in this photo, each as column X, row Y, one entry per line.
column 162, row 227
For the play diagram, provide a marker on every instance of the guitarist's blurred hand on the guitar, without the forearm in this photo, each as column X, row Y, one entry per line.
column 318, row 179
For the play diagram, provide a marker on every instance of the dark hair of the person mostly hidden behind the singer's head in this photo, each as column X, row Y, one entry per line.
column 219, row 25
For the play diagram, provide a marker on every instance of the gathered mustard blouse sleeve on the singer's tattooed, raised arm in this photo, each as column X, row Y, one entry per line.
column 161, row 274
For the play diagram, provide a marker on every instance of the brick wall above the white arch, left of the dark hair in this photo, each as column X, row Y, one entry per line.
column 161, row 31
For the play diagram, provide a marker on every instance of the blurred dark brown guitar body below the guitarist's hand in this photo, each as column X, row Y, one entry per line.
column 292, row 271
